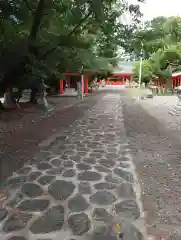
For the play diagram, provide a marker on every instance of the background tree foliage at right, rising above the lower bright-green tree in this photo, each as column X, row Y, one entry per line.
column 159, row 33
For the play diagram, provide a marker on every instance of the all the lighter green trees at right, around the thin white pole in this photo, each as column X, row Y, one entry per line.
column 161, row 48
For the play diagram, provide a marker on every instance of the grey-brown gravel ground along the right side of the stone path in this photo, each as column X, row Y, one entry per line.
column 157, row 155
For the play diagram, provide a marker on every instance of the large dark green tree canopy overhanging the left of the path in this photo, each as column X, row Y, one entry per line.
column 45, row 38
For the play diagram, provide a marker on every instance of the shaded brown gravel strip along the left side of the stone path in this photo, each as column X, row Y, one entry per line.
column 19, row 141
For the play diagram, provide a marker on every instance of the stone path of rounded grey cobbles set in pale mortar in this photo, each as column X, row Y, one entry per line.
column 82, row 188
